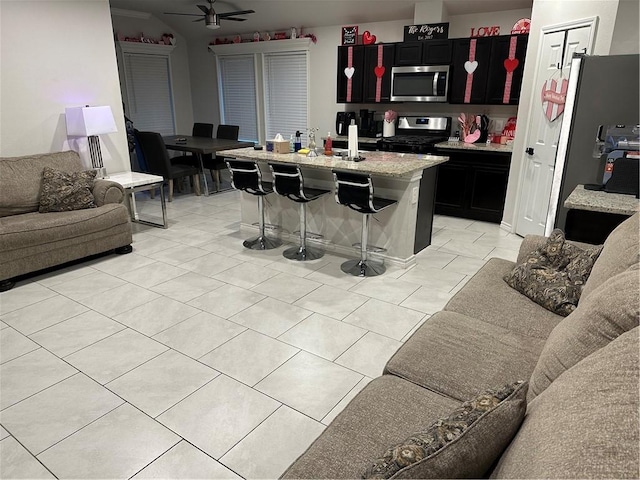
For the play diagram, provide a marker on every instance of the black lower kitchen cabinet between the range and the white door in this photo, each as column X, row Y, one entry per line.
column 473, row 185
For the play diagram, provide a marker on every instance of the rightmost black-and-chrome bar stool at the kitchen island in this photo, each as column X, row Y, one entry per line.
column 355, row 190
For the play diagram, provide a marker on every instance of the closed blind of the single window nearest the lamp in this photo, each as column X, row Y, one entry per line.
column 150, row 99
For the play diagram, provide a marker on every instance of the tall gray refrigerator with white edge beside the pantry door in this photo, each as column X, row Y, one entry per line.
column 602, row 90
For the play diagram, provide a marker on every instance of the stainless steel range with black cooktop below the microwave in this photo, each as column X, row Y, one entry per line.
column 417, row 134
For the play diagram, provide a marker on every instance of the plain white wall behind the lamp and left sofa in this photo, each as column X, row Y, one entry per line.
column 56, row 55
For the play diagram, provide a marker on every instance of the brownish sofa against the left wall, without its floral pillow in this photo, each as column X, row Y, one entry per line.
column 31, row 241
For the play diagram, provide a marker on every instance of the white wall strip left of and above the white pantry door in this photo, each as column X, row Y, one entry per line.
column 545, row 13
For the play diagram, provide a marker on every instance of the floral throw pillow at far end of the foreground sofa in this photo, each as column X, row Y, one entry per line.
column 553, row 276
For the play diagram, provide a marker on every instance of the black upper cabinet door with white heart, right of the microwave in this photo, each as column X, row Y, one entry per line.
column 469, row 70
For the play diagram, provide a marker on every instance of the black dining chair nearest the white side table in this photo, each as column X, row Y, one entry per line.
column 158, row 162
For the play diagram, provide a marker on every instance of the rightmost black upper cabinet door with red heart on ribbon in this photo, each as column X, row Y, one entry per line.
column 506, row 69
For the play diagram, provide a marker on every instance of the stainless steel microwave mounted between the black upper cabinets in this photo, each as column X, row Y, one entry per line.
column 424, row 83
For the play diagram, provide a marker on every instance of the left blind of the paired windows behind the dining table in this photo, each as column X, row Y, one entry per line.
column 238, row 82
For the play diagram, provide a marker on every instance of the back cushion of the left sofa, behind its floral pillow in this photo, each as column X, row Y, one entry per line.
column 21, row 177
